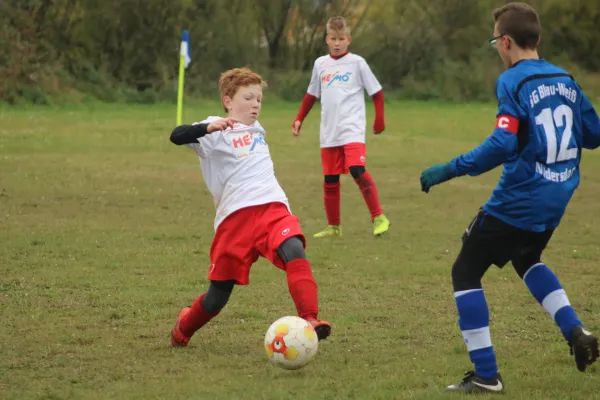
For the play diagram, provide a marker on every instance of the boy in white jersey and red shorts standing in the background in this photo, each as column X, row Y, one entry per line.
column 339, row 79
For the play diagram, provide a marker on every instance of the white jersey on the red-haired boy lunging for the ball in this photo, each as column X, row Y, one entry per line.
column 237, row 168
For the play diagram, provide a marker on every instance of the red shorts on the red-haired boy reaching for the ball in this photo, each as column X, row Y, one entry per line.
column 247, row 234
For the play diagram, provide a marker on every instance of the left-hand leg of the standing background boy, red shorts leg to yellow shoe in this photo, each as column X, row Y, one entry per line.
column 332, row 163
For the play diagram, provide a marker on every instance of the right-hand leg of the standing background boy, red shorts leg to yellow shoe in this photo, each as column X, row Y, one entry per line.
column 355, row 159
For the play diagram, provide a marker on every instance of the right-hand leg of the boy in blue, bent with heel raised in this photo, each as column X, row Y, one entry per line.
column 545, row 286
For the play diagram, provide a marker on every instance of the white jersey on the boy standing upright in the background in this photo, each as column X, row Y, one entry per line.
column 340, row 84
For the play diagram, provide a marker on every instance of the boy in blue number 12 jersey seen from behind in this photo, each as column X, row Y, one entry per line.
column 543, row 123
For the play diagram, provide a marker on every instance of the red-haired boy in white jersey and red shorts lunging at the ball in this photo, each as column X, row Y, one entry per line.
column 253, row 217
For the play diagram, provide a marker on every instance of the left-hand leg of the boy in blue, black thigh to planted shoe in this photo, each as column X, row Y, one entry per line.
column 476, row 256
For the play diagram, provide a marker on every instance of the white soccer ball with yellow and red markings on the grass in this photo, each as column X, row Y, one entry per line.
column 291, row 343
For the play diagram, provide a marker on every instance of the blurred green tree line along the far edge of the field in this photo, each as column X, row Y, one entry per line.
column 128, row 50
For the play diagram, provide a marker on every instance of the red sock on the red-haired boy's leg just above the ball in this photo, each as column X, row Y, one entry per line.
column 303, row 288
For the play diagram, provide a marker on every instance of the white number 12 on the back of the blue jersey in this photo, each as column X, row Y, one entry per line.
column 561, row 117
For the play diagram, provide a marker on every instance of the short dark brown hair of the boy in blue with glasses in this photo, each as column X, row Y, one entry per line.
column 519, row 21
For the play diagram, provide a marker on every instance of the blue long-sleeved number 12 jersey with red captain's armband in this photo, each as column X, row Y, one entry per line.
column 543, row 123
